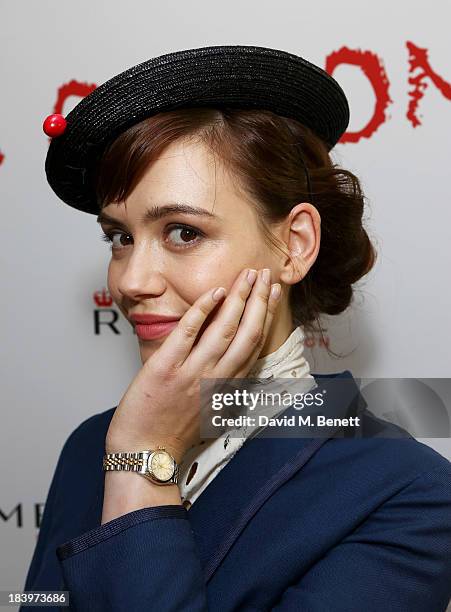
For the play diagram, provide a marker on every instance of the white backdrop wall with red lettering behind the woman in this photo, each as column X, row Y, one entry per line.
column 56, row 370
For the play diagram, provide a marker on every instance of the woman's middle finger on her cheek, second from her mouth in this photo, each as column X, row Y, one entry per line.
column 219, row 334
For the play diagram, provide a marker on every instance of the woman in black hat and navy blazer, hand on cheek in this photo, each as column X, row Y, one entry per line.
column 205, row 167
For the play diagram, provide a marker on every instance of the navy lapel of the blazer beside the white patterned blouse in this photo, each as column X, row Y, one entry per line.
column 256, row 471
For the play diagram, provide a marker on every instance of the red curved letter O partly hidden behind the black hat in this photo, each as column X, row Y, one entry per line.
column 373, row 69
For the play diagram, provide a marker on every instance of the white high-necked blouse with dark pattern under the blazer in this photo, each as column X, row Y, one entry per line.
column 203, row 462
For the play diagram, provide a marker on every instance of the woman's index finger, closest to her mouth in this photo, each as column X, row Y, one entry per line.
column 178, row 344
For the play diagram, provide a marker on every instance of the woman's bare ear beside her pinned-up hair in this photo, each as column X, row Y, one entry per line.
column 302, row 235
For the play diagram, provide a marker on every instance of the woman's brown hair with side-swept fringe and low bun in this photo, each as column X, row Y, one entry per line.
column 264, row 152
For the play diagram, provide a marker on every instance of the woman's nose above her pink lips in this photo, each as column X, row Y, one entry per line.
column 141, row 276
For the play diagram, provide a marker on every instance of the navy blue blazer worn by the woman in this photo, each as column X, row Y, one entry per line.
column 289, row 524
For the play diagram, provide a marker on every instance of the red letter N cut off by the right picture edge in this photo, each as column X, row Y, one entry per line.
column 418, row 58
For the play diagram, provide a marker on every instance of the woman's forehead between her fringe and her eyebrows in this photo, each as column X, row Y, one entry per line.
column 186, row 174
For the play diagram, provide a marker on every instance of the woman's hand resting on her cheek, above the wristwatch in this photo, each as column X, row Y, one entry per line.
column 162, row 404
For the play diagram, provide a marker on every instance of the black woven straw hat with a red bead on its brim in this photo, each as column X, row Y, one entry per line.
column 232, row 76
